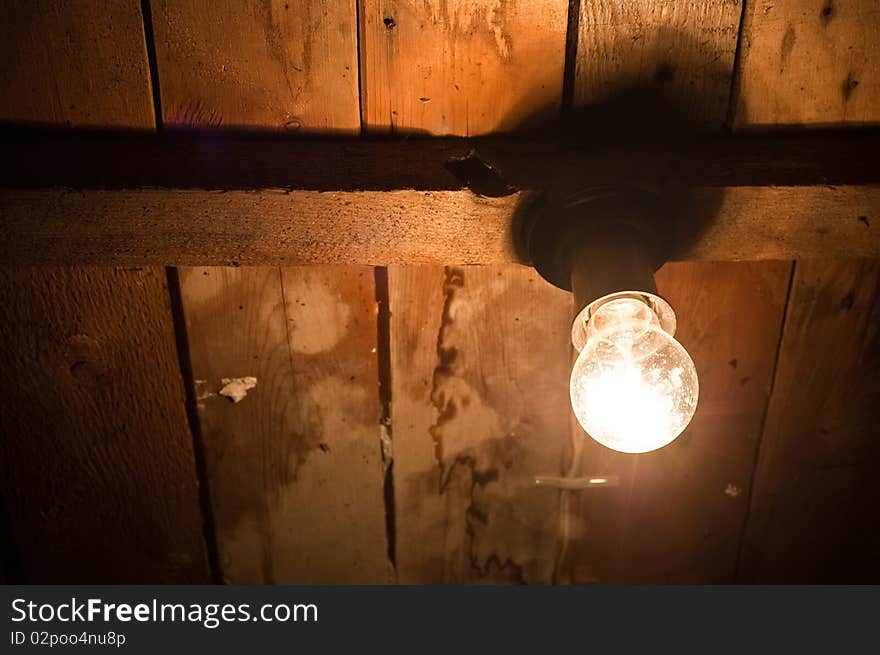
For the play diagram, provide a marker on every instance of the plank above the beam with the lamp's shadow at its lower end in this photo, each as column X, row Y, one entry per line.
column 678, row 52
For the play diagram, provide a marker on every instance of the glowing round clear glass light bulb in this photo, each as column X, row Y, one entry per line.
column 634, row 388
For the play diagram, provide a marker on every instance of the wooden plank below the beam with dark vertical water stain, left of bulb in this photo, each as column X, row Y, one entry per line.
column 479, row 407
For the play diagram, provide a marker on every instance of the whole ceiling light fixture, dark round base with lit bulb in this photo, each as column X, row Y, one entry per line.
column 633, row 387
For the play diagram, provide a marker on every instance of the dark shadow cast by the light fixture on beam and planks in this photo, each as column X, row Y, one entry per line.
column 656, row 113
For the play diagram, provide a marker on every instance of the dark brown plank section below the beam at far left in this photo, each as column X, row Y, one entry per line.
column 97, row 466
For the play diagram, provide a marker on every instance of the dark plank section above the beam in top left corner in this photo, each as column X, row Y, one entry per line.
column 80, row 63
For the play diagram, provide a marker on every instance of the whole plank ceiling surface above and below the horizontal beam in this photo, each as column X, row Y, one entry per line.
column 401, row 413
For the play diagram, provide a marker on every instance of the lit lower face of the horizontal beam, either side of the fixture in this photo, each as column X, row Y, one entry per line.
column 150, row 227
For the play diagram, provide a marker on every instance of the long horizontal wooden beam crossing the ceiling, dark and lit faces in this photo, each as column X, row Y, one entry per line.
column 208, row 199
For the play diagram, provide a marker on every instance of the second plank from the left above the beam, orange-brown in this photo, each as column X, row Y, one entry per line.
column 285, row 64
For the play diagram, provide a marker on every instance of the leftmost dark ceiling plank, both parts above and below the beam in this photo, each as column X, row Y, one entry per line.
column 97, row 467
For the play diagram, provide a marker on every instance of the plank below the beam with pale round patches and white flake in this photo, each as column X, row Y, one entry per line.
column 295, row 466
